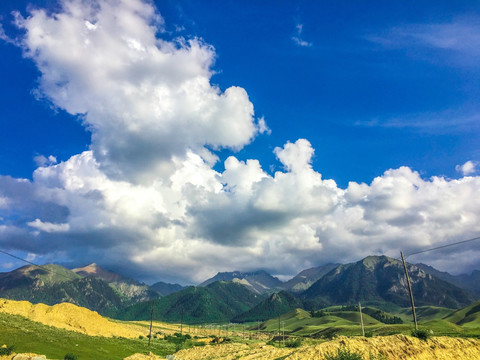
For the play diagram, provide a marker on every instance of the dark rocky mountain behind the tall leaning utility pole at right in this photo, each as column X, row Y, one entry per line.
column 382, row 279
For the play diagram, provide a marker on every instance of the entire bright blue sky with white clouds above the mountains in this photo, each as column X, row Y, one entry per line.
column 170, row 140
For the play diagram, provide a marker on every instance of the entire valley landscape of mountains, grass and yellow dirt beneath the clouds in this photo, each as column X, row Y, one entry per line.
column 235, row 312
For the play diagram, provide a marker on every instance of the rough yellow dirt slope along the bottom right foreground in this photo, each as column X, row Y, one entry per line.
column 396, row 347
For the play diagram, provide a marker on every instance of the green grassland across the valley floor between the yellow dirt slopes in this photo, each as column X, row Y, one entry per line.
column 31, row 336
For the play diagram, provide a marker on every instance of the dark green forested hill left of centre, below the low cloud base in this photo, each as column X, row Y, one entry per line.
column 217, row 302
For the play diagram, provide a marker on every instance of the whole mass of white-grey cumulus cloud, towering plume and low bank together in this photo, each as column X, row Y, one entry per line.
column 147, row 192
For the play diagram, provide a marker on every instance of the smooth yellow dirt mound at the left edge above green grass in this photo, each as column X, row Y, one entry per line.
column 70, row 317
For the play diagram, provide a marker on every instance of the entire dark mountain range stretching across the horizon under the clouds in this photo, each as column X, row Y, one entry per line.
column 240, row 296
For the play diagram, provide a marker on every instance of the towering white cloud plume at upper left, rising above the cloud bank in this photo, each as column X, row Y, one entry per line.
column 144, row 99
